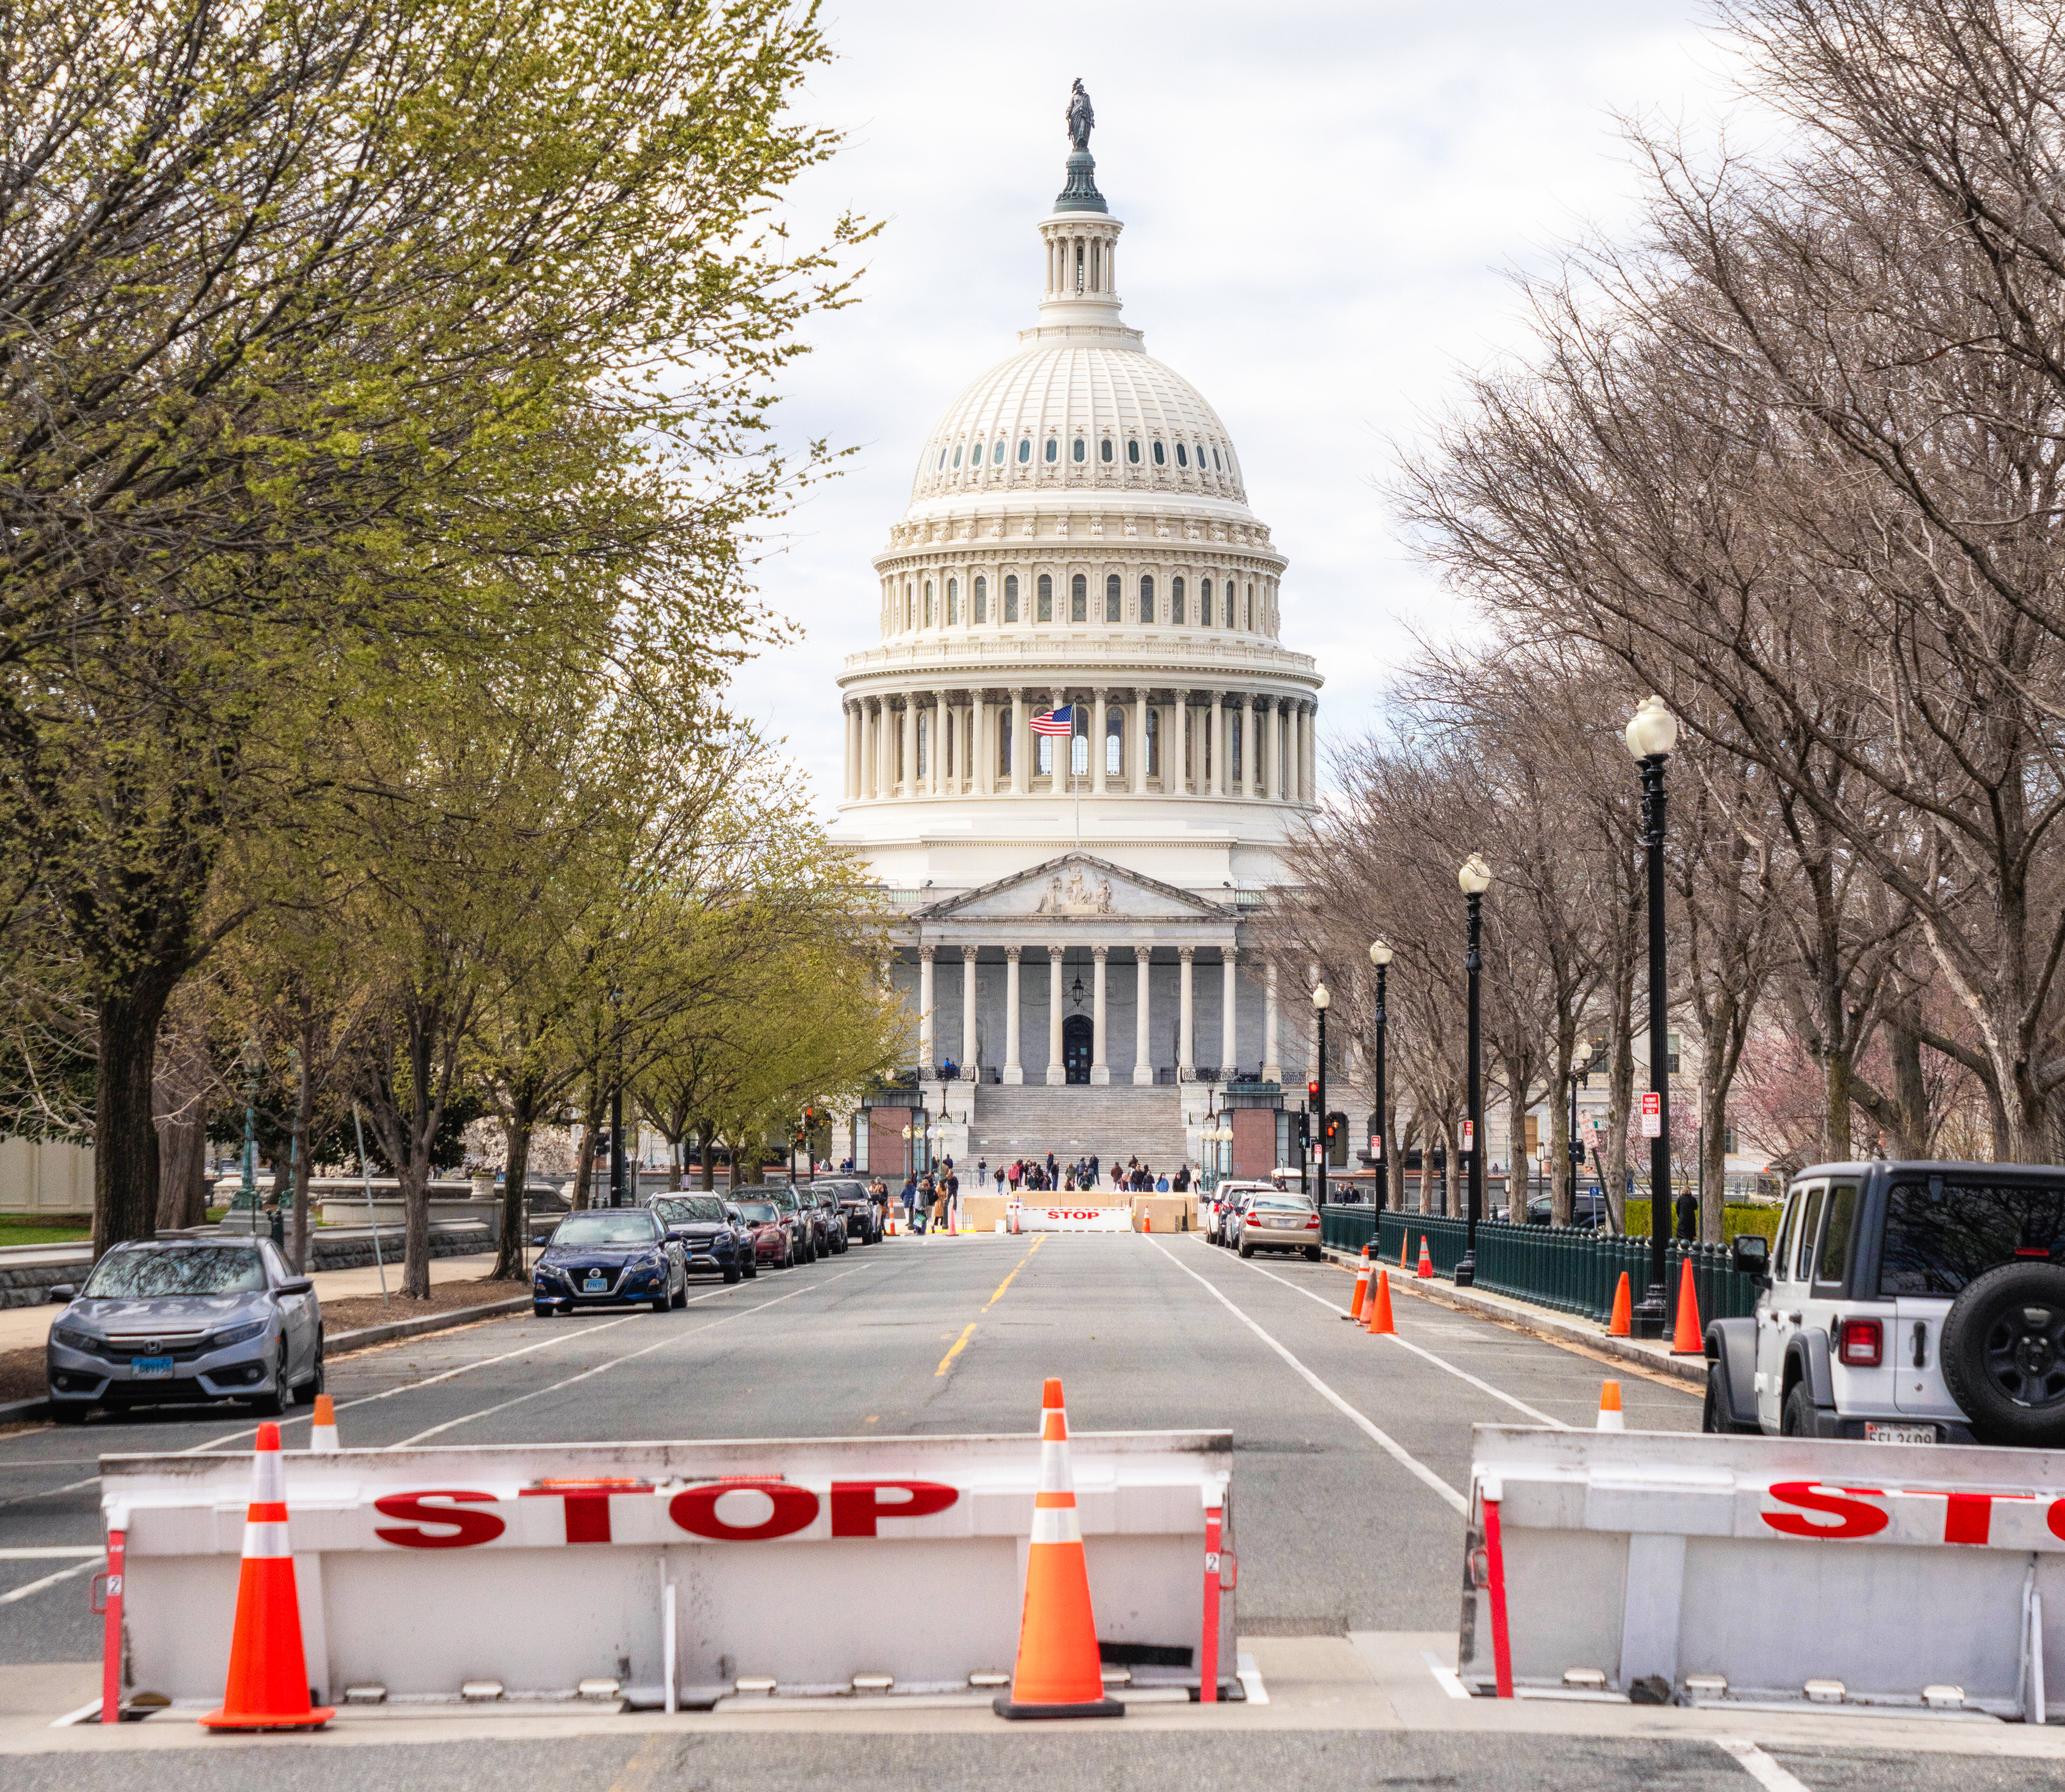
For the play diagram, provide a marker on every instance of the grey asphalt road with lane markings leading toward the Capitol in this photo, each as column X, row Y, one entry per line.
column 1349, row 1473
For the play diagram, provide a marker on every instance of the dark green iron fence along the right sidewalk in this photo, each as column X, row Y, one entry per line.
column 1562, row 1269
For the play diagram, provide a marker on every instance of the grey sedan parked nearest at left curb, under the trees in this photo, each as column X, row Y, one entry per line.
column 191, row 1320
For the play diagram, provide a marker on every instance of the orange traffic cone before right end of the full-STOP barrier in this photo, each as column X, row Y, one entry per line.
column 1058, row 1673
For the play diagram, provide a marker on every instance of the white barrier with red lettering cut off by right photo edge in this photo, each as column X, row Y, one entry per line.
column 1765, row 1570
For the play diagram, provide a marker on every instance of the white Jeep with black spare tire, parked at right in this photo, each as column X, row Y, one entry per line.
column 1903, row 1304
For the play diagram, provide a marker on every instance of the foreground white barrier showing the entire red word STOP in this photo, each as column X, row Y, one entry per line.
column 670, row 1572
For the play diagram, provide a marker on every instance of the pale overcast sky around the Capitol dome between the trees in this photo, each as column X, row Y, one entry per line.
column 1323, row 201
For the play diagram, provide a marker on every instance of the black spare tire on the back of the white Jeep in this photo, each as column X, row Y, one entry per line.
column 2004, row 1353
